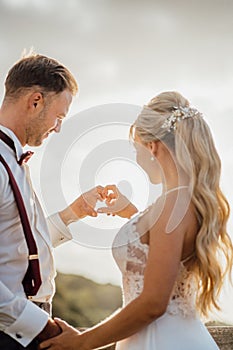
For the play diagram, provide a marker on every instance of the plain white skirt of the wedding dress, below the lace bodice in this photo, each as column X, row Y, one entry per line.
column 171, row 332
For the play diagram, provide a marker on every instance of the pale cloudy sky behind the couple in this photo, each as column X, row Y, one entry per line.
column 122, row 53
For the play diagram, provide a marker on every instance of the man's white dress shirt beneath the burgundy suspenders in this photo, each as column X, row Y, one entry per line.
column 20, row 318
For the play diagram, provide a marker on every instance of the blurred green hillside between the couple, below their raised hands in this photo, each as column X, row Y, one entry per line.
column 82, row 302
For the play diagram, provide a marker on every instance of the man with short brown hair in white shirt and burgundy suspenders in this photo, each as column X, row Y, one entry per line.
column 38, row 93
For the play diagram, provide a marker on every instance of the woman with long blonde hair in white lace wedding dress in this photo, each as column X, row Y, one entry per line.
column 169, row 255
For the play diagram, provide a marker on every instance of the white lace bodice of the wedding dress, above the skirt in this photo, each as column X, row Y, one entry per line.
column 131, row 256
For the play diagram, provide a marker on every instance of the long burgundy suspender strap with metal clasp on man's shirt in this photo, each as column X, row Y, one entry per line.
column 32, row 279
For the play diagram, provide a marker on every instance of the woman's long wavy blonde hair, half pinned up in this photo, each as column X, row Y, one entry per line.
column 192, row 144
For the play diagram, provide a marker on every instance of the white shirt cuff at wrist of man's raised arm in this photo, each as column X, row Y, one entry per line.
column 59, row 232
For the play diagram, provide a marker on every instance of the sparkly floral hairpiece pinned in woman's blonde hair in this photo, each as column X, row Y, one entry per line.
column 180, row 113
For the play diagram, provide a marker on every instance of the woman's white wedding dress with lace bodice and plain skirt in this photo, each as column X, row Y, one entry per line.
column 180, row 327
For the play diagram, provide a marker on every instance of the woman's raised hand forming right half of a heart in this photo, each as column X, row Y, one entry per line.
column 117, row 203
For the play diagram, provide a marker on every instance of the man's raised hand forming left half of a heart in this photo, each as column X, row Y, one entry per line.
column 83, row 206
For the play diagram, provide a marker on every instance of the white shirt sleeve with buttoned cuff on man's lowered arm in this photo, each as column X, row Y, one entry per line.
column 20, row 318
